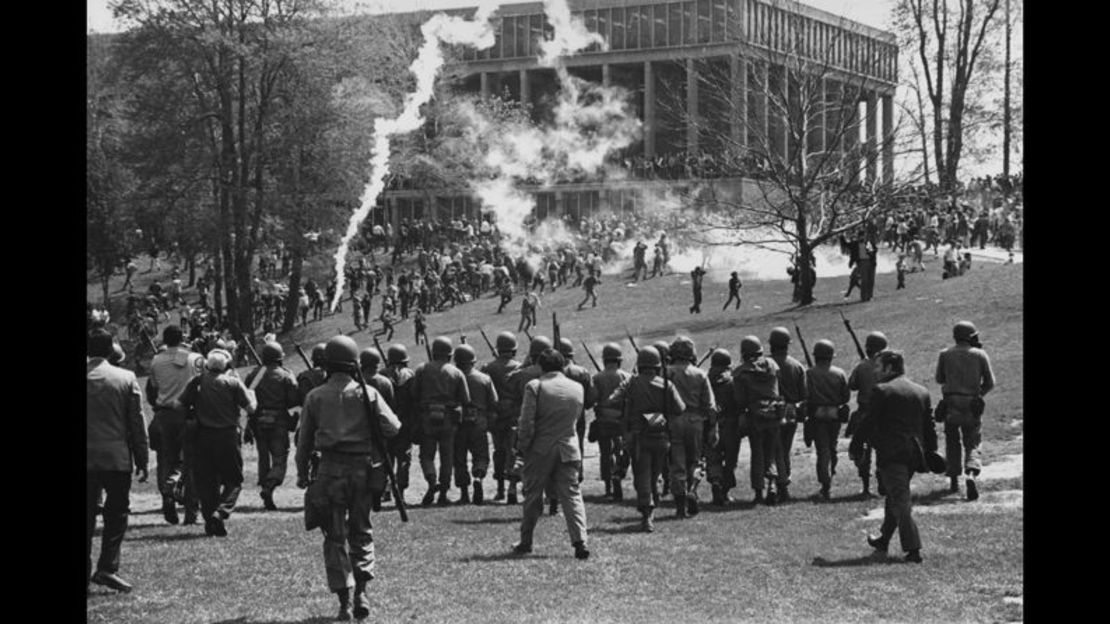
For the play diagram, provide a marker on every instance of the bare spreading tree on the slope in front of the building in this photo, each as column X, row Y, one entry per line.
column 798, row 143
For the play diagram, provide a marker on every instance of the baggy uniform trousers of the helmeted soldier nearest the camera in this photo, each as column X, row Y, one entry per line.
column 349, row 545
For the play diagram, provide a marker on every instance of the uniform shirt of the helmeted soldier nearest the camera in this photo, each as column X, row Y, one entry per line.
column 335, row 419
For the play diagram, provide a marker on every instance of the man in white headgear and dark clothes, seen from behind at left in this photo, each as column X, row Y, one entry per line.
column 214, row 401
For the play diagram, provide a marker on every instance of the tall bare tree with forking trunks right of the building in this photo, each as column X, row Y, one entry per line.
column 947, row 46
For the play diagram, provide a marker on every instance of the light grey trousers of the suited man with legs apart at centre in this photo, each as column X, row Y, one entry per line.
column 549, row 472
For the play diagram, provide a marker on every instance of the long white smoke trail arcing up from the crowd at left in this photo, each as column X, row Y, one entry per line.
column 440, row 29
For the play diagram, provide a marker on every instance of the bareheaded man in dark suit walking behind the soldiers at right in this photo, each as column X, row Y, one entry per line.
column 900, row 429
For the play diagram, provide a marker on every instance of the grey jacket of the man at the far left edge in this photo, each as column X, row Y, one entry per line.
column 116, row 436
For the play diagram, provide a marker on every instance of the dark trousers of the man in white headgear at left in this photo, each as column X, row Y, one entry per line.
column 219, row 470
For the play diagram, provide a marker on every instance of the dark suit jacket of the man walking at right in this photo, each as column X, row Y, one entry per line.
column 899, row 424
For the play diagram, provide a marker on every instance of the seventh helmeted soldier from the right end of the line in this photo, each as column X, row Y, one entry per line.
column 698, row 424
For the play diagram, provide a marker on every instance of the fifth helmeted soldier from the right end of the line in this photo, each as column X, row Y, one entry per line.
column 755, row 386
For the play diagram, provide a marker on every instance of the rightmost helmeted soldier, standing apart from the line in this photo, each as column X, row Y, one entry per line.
column 965, row 377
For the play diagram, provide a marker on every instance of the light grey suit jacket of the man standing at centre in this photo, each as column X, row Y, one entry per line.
column 551, row 409
